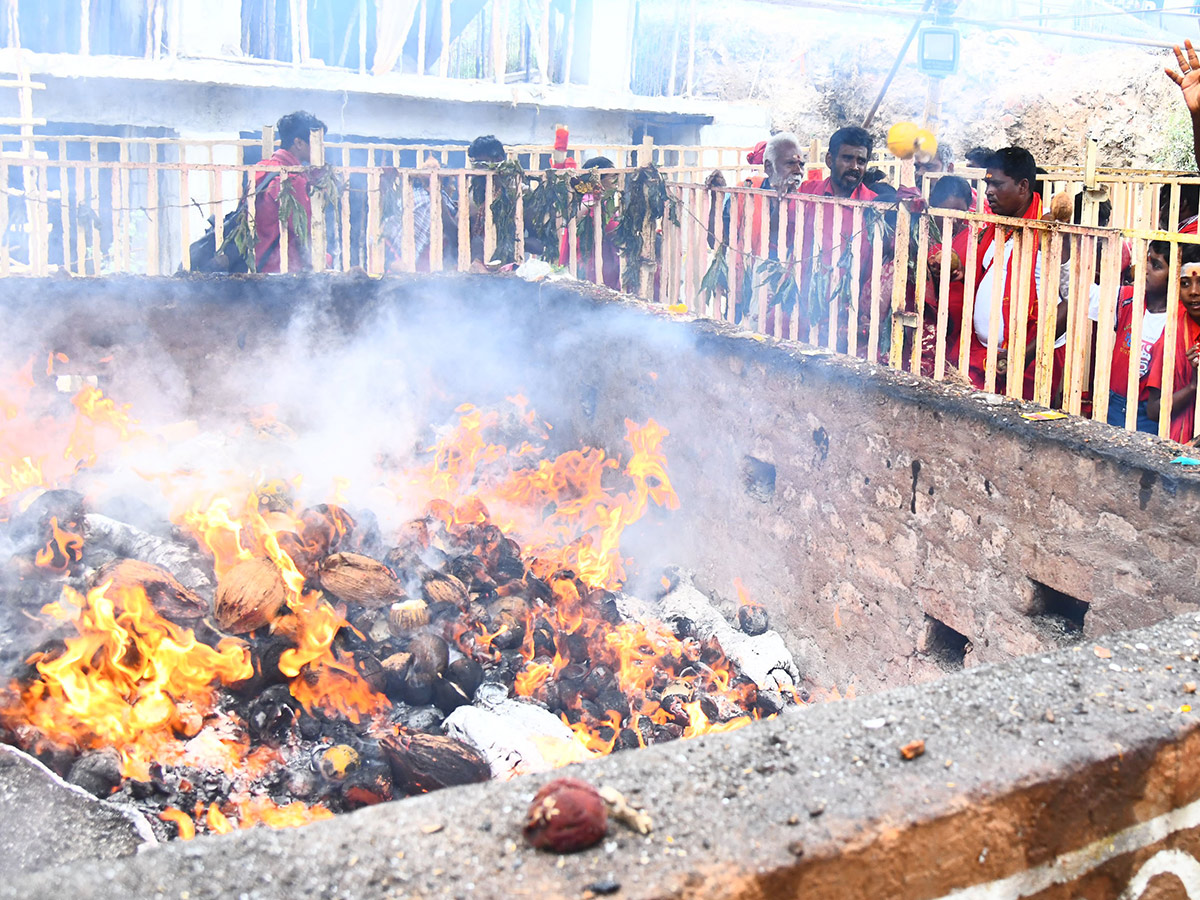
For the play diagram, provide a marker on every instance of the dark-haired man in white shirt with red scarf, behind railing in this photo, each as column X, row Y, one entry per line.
column 1012, row 175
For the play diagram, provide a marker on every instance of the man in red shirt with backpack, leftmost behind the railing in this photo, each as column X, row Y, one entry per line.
column 295, row 133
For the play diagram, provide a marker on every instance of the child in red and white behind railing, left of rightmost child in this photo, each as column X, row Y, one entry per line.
column 1154, row 323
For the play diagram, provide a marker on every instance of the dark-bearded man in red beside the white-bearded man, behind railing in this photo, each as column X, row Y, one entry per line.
column 850, row 151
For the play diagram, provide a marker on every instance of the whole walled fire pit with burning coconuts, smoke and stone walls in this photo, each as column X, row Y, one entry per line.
column 489, row 529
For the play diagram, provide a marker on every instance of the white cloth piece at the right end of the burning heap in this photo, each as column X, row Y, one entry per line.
column 763, row 658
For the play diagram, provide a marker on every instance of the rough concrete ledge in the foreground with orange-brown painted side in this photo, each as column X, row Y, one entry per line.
column 1051, row 777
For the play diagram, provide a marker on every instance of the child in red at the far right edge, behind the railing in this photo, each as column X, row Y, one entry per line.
column 1185, row 357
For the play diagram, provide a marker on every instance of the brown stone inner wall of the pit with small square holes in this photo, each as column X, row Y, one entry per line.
column 897, row 501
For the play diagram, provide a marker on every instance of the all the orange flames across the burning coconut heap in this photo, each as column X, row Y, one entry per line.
column 136, row 682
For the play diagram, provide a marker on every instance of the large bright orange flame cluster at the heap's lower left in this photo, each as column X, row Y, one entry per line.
column 122, row 681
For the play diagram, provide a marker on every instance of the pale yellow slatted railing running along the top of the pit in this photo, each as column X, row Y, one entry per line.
column 866, row 280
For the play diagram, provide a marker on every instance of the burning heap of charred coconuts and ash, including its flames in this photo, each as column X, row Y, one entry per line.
column 256, row 661
